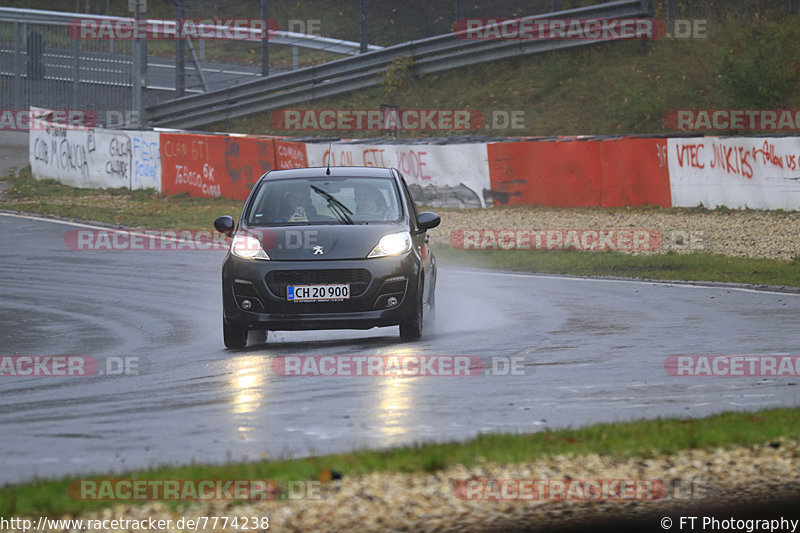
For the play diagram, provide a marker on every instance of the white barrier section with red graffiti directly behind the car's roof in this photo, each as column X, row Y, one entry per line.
column 442, row 168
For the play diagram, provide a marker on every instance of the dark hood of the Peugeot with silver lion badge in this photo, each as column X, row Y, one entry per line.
column 322, row 242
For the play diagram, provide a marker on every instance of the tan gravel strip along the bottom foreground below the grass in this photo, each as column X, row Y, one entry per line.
column 439, row 501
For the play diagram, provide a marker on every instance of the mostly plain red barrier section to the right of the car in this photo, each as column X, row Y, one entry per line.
column 575, row 173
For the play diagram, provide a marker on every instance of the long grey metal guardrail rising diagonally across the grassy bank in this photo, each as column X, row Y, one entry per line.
column 429, row 55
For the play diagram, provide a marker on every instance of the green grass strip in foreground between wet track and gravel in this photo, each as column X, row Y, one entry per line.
column 645, row 439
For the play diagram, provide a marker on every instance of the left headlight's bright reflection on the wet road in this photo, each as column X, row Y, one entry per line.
column 247, row 384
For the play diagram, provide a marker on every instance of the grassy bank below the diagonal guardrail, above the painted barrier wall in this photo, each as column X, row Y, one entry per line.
column 613, row 88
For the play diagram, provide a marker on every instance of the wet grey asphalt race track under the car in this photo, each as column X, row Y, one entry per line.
column 593, row 350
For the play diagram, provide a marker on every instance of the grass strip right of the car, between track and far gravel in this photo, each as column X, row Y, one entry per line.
column 697, row 266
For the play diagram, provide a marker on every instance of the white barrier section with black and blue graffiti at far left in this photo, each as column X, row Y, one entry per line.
column 95, row 158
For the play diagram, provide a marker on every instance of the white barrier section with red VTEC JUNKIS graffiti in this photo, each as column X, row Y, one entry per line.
column 759, row 173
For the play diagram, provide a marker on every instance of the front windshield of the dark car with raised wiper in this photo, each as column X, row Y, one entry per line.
column 325, row 201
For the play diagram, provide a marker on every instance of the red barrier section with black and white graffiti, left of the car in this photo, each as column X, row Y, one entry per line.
column 213, row 165
